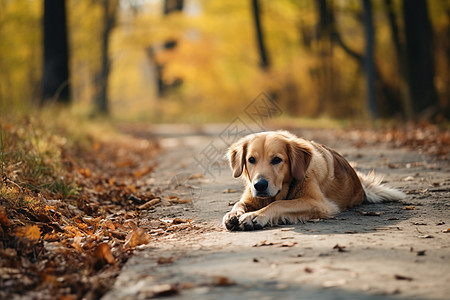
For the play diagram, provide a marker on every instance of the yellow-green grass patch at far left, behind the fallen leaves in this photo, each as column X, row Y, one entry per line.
column 31, row 147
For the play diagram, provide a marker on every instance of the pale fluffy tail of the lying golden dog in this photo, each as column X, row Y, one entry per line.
column 376, row 192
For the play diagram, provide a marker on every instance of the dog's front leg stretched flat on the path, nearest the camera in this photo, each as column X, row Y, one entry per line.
column 287, row 211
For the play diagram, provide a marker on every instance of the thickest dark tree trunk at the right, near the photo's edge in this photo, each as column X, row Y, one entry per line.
column 419, row 56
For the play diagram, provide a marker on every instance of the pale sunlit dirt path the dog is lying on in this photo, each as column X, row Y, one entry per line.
column 401, row 253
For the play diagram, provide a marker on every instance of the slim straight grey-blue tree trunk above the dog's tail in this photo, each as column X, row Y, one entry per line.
column 369, row 64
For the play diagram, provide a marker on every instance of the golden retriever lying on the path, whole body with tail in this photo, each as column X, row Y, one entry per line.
column 290, row 180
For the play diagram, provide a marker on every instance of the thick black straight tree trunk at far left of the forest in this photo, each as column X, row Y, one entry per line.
column 55, row 81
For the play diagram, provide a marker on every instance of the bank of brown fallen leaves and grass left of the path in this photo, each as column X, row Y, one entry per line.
column 70, row 241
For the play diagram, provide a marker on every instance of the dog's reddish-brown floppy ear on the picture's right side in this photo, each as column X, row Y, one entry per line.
column 299, row 159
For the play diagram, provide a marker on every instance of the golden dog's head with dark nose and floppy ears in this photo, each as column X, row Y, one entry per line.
column 268, row 160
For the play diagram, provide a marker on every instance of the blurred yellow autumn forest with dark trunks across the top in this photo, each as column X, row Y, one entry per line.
column 199, row 60
